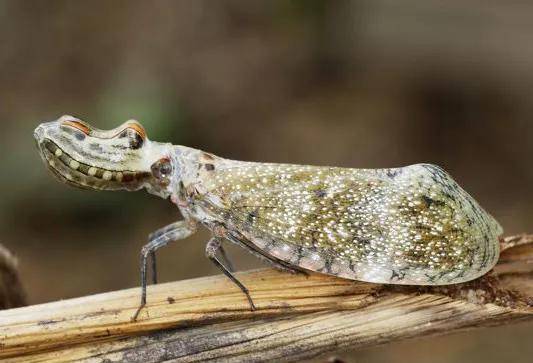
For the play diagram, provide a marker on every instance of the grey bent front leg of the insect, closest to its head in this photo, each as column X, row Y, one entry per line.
column 158, row 239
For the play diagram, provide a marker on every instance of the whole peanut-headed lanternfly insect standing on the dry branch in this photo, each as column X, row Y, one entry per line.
column 412, row 225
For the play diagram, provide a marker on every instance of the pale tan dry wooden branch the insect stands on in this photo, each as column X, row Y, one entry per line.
column 298, row 317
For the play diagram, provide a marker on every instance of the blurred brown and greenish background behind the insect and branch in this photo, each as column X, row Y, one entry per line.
column 348, row 83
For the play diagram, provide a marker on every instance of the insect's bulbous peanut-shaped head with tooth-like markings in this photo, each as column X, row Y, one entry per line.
column 94, row 159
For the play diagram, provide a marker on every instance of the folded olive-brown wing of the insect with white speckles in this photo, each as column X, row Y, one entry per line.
column 411, row 225
